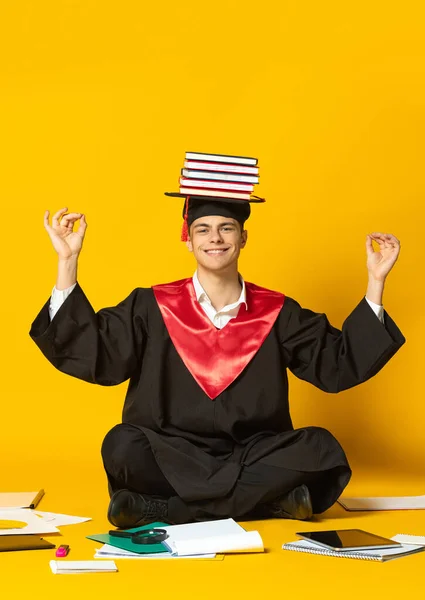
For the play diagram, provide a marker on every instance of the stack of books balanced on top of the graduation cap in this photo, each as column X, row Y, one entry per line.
column 219, row 175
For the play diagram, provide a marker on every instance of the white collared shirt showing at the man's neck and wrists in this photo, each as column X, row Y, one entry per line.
column 218, row 318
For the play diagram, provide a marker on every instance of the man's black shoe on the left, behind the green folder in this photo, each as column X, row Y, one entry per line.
column 128, row 509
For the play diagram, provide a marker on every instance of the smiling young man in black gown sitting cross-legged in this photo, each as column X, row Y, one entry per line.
column 206, row 429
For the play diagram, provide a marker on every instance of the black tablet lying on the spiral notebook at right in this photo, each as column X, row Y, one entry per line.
column 342, row 540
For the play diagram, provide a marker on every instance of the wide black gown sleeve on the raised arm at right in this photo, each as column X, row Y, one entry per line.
column 335, row 360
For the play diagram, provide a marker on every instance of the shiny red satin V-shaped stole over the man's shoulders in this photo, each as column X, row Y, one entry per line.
column 216, row 357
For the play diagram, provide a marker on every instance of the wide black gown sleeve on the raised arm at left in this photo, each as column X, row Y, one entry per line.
column 103, row 347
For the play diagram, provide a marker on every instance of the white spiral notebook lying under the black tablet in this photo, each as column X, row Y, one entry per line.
column 376, row 555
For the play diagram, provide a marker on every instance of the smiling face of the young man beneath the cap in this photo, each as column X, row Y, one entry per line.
column 216, row 242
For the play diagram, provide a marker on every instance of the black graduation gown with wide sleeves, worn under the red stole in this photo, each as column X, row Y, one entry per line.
column 201, row 444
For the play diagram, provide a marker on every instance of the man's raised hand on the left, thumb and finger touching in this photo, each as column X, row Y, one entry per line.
column 66, row 242
